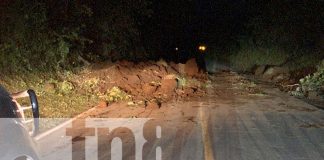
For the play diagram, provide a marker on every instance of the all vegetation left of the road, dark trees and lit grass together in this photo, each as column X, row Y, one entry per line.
column 43, row 44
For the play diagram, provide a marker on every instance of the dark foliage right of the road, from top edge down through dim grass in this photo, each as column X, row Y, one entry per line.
column 279, row 32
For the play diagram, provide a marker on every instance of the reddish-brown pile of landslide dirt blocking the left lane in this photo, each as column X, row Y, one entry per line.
column 149, row 83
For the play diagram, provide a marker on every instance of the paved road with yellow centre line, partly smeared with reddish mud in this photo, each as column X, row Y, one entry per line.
column 237, row 120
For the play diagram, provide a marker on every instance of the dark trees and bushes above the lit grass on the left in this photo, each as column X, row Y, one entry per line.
column 52, row 35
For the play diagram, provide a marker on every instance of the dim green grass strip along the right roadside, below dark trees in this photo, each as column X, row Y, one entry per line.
column 249, row 56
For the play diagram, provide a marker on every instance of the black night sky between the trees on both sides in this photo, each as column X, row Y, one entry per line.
column 189, row 22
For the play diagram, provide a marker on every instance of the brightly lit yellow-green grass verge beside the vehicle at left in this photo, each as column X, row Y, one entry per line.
column 64, row 101
